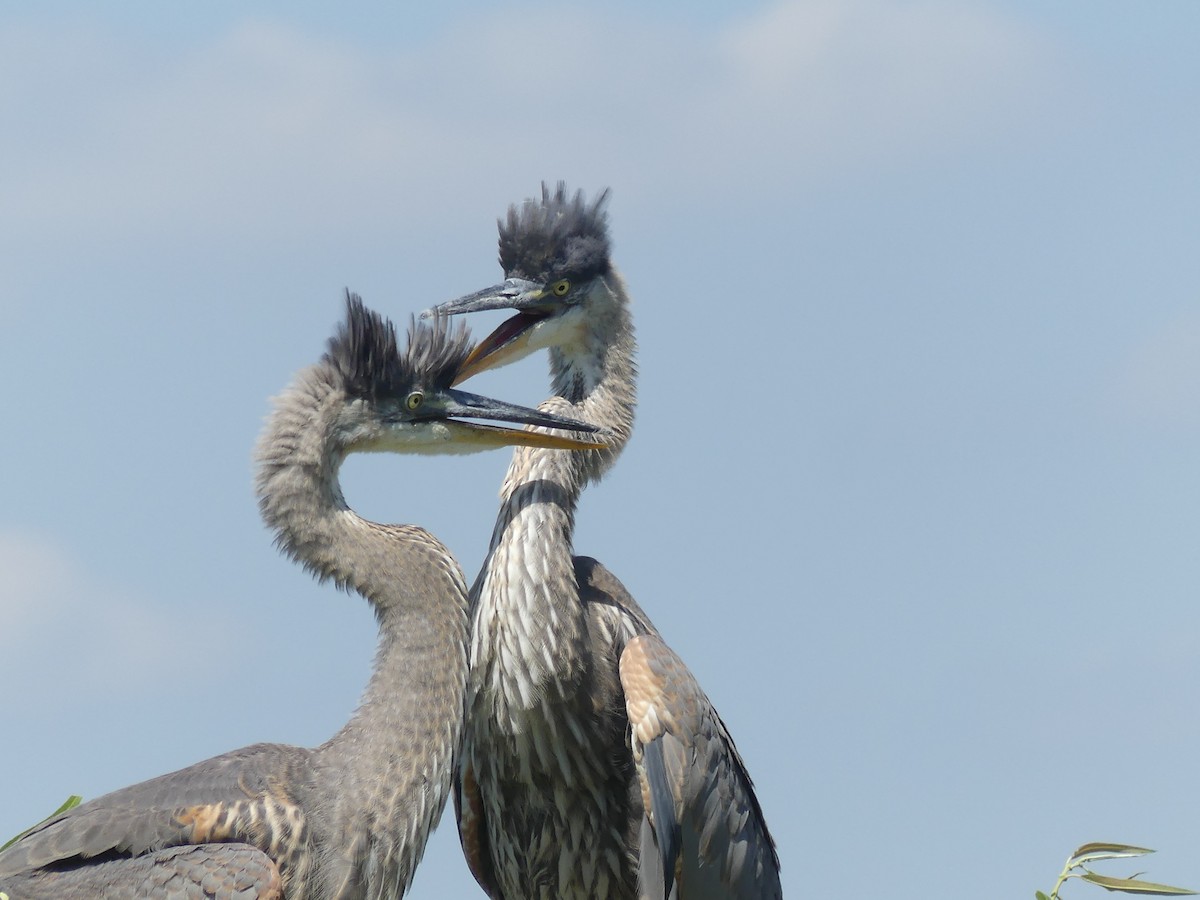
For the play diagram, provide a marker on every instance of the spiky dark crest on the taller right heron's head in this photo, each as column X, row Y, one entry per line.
column 560, row 237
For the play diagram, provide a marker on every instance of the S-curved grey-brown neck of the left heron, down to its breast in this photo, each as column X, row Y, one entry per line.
column 382, row 782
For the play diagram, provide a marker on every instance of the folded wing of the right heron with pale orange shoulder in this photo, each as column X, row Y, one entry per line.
column 703, row 833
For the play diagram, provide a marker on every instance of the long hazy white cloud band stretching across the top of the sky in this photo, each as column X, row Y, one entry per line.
column 269, row 128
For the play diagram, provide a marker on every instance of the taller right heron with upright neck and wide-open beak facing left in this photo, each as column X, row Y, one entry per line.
column 593, row 766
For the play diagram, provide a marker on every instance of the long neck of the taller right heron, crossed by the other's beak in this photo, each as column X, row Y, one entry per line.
column 529, row 585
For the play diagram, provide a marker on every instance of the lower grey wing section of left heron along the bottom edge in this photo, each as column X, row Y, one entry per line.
column 191, row 873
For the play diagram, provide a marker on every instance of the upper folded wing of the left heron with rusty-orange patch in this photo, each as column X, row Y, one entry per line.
column 221, row 800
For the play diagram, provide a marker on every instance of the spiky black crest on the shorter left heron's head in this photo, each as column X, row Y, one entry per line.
column 367, row 355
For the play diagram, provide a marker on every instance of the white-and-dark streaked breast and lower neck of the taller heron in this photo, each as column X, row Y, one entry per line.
column 547, row 735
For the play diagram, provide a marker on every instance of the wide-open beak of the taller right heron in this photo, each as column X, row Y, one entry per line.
column 508, row 341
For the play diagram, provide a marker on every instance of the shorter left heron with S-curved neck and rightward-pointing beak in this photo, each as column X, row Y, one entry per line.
column 349, row 819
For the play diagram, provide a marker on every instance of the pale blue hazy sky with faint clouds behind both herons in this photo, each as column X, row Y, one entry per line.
column 916, row 482
